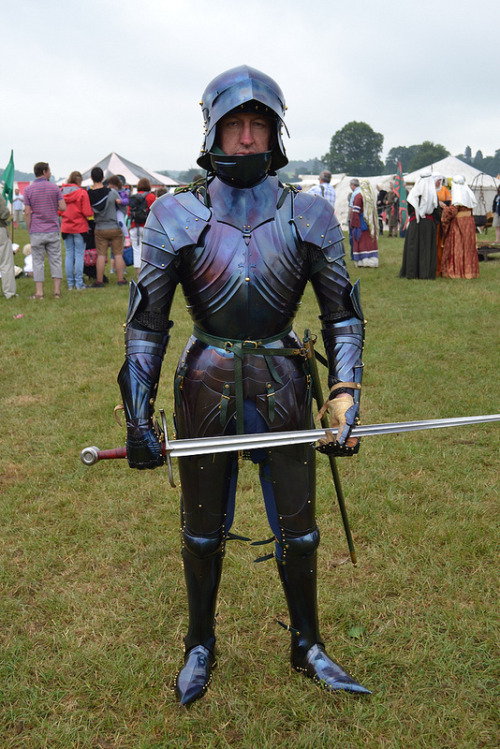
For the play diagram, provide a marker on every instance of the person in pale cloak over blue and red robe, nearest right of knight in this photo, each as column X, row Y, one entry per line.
column 364, row 227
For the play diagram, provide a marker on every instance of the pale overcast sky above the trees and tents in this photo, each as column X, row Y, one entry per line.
column 81, row 79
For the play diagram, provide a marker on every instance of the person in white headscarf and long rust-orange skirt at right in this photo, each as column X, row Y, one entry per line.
column 460, row 258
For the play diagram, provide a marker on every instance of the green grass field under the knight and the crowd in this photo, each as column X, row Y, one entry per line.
column 92, row 605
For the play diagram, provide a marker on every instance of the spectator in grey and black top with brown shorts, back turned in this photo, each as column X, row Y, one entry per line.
column 104, row 202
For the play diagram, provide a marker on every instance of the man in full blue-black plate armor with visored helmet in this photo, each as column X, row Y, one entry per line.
column 243, row 246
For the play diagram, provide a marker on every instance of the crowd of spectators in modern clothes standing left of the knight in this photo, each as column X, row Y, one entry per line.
column 106, row 216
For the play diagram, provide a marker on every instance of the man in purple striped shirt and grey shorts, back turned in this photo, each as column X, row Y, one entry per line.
column 42, row 201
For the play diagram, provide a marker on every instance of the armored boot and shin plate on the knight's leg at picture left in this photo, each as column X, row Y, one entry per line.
column 202, row 569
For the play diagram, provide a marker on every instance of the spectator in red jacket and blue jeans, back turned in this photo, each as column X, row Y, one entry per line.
column 74, row 226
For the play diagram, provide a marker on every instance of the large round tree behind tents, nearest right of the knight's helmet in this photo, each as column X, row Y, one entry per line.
column 355, row 149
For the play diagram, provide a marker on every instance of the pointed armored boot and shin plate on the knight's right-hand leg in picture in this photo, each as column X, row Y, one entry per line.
column 297, row 570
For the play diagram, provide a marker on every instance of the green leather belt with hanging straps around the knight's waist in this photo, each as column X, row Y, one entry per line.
column 239, row 349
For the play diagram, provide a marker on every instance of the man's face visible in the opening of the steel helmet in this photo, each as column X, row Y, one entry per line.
column 243, row 134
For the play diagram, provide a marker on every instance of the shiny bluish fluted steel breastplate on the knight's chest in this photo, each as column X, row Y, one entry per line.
column 246, row 276
